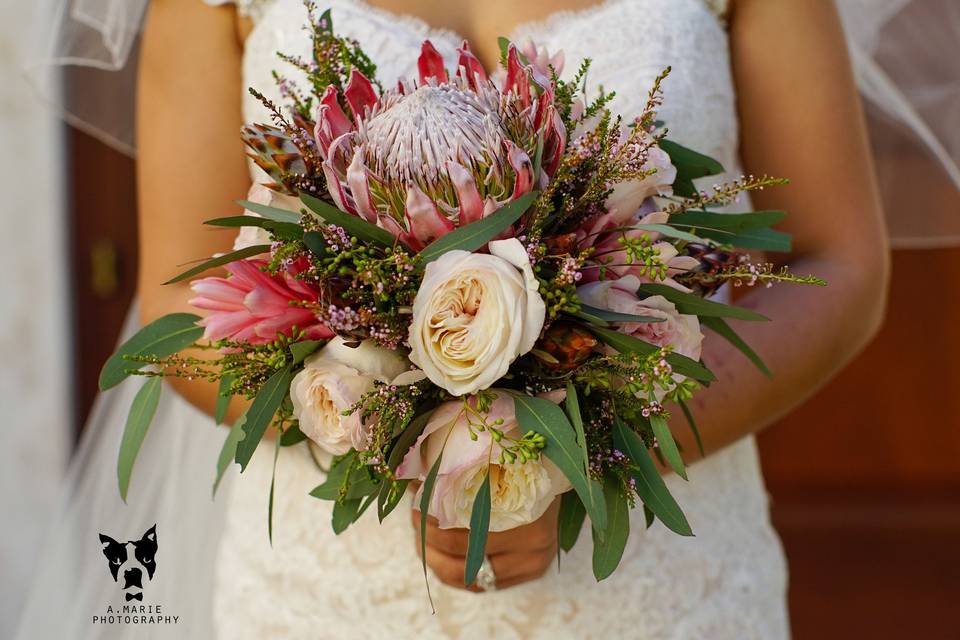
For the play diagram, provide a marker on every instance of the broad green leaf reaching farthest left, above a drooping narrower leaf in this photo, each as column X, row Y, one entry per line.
column 162, row 337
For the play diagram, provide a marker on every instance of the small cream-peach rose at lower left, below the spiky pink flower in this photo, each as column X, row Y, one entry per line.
column 332, row 381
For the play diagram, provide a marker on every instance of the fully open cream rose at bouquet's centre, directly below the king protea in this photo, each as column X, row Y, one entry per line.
column 474, row 315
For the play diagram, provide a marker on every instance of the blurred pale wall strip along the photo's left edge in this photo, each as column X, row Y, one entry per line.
column 34, row 316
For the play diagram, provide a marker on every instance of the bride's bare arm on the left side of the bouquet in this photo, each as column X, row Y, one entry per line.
column 191, row 165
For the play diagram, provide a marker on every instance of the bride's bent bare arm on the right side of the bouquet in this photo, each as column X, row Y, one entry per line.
column 799, row 118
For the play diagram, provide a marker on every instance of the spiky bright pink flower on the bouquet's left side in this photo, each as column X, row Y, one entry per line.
column 256, row 307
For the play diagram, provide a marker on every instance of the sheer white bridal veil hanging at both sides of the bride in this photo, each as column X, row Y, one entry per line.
column 175, row 471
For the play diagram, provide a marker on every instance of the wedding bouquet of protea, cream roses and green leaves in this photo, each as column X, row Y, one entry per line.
column 489, row 284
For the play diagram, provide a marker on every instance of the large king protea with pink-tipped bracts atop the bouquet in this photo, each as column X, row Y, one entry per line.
column 441, row 152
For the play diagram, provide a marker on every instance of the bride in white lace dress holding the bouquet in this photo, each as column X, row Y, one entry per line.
column 762, row 85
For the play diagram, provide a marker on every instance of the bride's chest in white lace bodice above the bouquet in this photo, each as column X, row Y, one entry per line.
column 629, row 43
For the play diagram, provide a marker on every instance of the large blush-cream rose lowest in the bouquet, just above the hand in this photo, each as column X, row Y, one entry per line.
column 519, row 492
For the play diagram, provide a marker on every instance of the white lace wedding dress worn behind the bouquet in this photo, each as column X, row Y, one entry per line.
column 726, row 583
